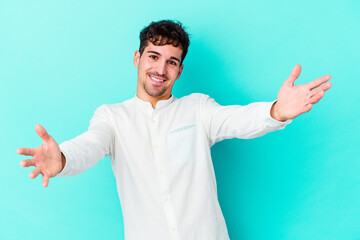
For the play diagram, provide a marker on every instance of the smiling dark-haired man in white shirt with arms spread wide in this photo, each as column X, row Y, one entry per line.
column 160, row 145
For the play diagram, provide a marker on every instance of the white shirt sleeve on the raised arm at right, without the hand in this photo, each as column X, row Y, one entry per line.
column 236, row 121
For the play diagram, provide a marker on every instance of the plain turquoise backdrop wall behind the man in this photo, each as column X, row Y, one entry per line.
column 60, row 60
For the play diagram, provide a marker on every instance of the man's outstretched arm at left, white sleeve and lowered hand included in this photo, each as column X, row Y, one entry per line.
column 74, row 156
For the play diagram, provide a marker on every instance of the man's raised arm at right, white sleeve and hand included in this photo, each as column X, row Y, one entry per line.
column 257, row 119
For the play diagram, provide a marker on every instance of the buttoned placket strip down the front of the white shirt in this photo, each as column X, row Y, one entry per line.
column 162, row 173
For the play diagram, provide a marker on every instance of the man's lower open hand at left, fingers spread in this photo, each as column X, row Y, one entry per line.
column 47, row 158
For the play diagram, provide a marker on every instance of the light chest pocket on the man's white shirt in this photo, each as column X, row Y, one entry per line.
column 182, row 143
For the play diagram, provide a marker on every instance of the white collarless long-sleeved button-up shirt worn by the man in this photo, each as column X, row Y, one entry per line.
column 162, row 161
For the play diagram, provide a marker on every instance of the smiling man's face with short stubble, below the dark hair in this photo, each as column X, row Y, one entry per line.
column 158, row 68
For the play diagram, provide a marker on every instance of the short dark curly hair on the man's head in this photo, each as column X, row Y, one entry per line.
column 165, row 32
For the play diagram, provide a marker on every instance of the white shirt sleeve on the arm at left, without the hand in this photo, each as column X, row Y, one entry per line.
column 87, row 149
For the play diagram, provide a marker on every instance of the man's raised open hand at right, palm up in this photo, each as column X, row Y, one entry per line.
column 295, row 100
